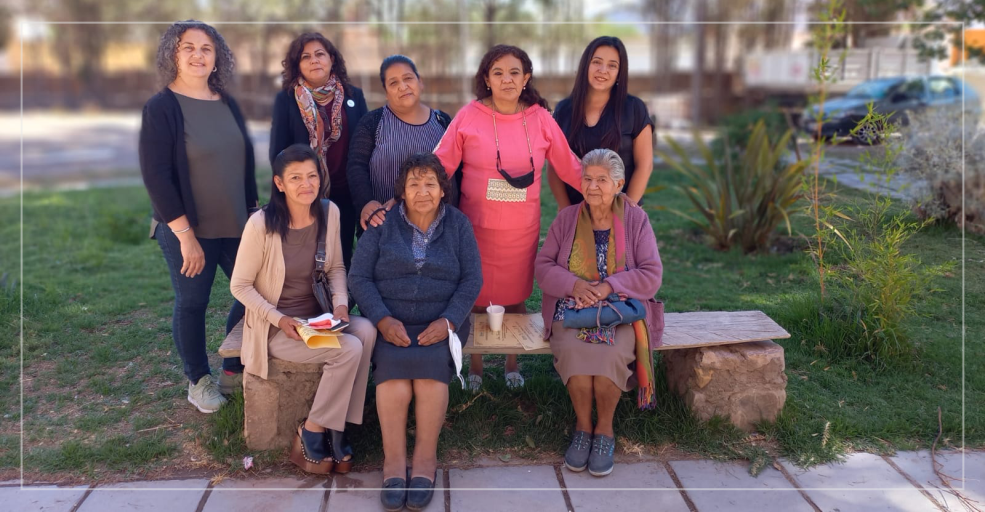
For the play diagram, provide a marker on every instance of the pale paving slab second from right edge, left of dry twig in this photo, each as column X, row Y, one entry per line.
column 844, row 486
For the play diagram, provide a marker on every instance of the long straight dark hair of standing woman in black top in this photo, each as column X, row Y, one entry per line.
column 617, row 96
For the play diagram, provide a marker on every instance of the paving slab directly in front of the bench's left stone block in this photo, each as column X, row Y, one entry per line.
column 265, row 494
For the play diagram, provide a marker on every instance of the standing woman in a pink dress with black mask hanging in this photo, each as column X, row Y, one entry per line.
column 502, row 140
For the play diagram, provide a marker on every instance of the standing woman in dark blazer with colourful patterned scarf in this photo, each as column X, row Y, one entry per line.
column 319, row 107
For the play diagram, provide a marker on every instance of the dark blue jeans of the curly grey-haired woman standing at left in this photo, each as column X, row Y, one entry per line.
column 191, row 300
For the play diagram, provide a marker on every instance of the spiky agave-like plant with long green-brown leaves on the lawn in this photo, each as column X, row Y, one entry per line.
column 742, row 203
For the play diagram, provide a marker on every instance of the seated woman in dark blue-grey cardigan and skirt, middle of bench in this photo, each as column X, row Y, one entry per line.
column 416, row 277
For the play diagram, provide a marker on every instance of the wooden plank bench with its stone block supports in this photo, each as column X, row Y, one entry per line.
column 721, row 363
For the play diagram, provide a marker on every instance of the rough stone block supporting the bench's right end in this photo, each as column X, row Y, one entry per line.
column 744, row 382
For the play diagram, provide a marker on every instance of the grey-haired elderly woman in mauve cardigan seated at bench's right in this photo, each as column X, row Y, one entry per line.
column 601, row 246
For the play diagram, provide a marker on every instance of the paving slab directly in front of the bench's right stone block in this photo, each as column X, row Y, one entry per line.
column 739, row 490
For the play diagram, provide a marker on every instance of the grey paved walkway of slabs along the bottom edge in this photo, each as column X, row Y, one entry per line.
column 865, row 482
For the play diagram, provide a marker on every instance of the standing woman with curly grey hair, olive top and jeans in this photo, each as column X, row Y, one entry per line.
column 196, row 160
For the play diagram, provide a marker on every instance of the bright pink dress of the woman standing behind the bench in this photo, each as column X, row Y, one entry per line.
column 506, row 220
